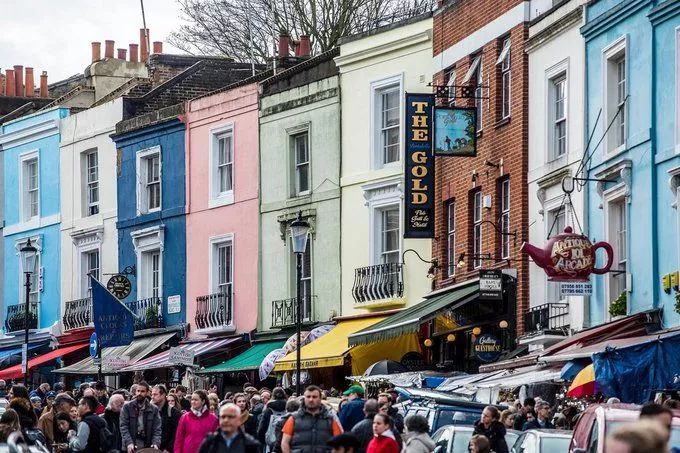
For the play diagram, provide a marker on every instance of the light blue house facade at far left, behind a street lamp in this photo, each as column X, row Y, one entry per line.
column 30, row 154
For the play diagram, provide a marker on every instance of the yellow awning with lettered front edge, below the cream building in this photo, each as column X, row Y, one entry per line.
column 329, row 350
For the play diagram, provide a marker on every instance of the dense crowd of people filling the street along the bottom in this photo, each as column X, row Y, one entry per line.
column 92, row 419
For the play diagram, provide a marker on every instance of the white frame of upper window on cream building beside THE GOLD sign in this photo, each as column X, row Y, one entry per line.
column 376, row 89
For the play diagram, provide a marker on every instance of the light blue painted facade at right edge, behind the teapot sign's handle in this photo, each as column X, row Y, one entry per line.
column 631, row 100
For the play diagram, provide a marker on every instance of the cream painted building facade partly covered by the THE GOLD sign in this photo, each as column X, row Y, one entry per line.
column 377, row 68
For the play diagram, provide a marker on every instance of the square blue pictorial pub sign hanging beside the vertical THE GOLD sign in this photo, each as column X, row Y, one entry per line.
column 455, row 131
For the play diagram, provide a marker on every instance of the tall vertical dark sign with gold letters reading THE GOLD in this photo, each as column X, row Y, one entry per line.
column 419, row 196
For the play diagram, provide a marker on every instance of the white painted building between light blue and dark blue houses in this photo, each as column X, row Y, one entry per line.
column 89, row 239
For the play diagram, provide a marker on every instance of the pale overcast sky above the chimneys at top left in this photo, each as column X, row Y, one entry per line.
column 55, row 35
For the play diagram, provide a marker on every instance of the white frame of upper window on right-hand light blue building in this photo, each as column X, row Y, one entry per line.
column 610, row 55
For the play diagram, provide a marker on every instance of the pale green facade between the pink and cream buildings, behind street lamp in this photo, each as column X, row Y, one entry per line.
column 300, row 108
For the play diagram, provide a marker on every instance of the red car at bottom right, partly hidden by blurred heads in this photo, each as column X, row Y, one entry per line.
column 600, row 420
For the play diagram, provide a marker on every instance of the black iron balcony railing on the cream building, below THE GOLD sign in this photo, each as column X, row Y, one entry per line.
column 378, row 282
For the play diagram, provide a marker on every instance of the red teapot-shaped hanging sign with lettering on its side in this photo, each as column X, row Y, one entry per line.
column 569, row 257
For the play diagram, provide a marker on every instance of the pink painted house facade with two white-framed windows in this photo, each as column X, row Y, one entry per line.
column 222, row 211
